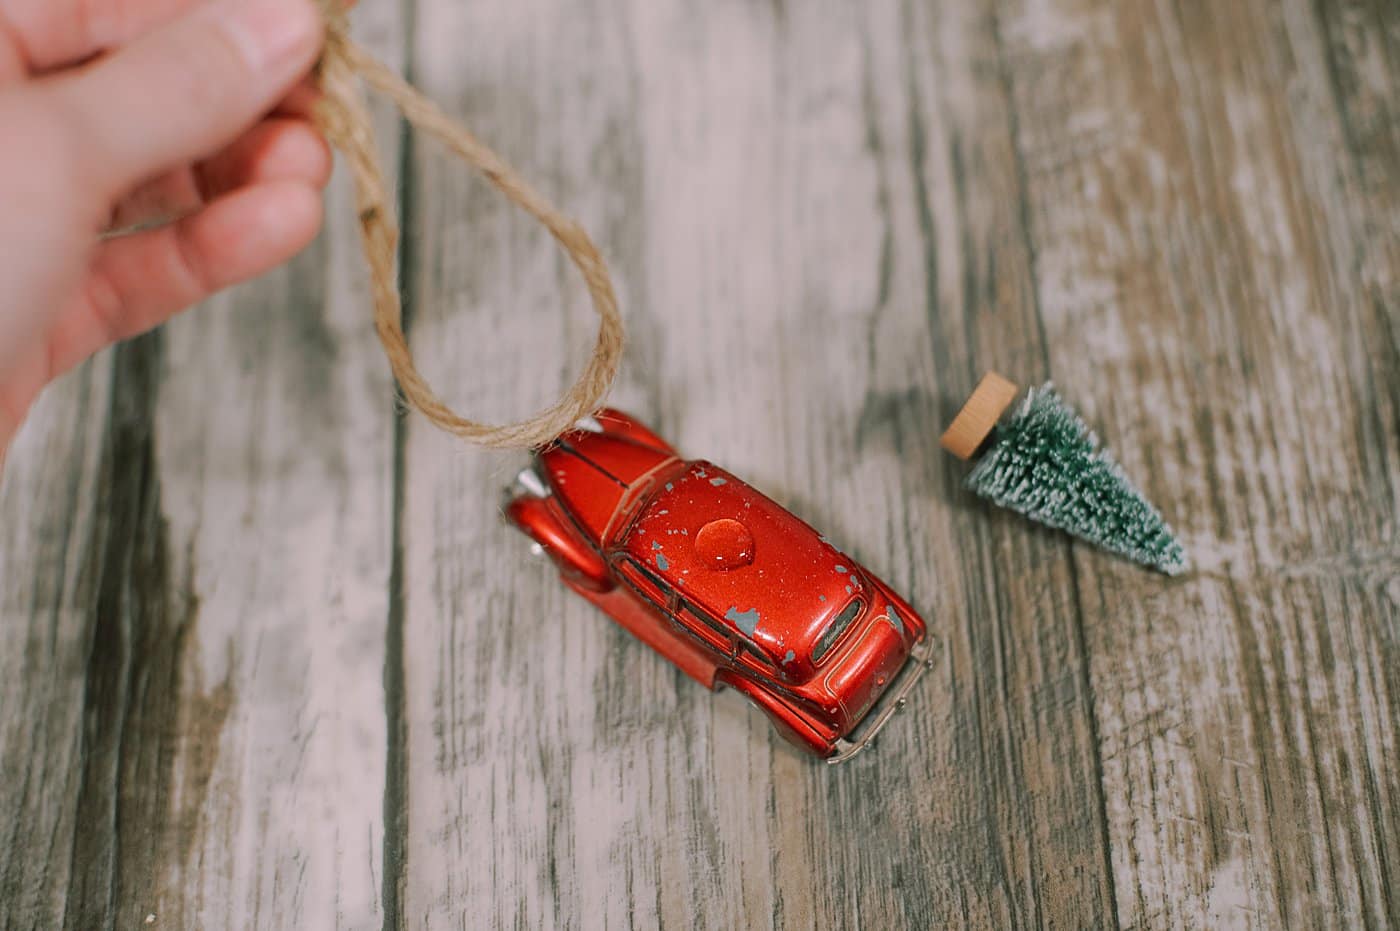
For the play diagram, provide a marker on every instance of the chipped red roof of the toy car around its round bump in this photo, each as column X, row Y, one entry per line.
column 783, row 600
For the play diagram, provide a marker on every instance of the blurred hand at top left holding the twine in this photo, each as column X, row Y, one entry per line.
column 180, row 118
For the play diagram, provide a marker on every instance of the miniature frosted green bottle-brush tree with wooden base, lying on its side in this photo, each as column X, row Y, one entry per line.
column 1046, row 464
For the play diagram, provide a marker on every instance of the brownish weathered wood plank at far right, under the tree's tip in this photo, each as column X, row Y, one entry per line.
column 1199, row 226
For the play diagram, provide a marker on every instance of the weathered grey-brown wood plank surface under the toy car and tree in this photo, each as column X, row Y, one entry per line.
column 272, row 660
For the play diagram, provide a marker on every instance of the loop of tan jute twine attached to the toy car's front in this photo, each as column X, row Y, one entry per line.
column 344, row 117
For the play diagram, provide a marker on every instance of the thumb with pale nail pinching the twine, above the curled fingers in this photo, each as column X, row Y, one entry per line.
column 190, row 89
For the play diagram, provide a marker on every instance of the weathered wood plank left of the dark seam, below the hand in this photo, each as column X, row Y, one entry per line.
column 195, row 726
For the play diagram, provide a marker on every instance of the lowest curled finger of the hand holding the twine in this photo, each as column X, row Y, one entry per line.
column 138, row 282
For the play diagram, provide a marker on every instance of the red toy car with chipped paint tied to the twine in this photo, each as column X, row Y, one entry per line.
column 723, row 582
